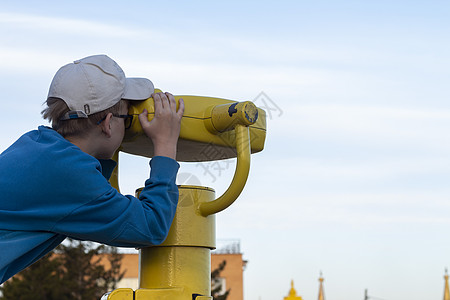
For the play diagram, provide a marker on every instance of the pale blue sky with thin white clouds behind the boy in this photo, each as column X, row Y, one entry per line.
column 354, row 178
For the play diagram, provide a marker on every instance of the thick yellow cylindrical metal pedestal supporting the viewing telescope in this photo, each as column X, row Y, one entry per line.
column 180, row 268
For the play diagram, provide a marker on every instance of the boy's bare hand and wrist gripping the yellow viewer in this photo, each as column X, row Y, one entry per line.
column 164, row 129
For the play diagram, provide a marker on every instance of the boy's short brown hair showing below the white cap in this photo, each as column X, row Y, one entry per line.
column 57, row 108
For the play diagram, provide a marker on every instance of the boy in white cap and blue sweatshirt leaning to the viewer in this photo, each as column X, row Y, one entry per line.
column 54, row 181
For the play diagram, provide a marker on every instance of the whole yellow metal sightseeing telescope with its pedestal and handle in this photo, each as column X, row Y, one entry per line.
column 180, row 268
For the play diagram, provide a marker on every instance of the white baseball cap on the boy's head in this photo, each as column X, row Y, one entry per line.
column 95, row 83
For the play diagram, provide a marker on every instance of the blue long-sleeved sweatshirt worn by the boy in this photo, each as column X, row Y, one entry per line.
column 50, row 190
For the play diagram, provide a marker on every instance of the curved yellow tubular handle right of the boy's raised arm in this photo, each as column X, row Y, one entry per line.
column 239, row 178
